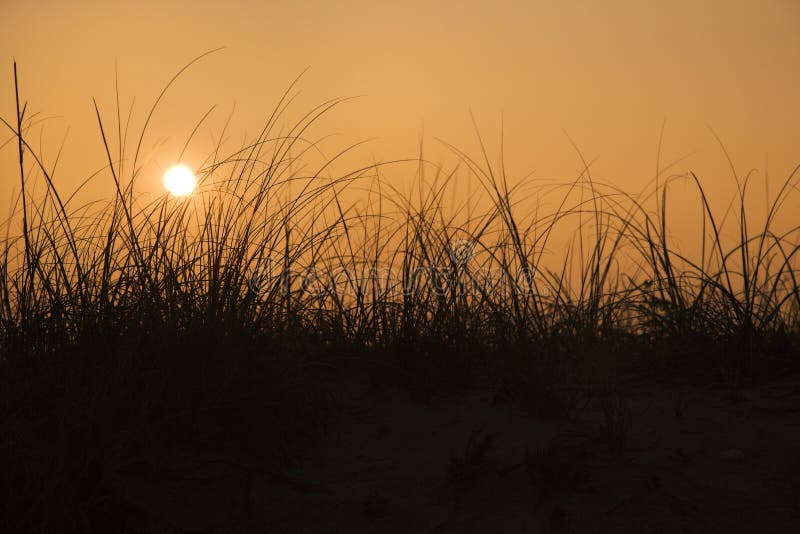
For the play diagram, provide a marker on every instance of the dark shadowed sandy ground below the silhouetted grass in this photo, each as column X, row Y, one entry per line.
column 659, row 458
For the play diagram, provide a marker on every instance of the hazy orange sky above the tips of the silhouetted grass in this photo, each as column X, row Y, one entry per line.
column 606, row 73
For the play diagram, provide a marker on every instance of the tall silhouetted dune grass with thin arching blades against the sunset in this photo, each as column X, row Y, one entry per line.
column 230, row 321
